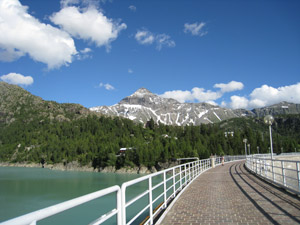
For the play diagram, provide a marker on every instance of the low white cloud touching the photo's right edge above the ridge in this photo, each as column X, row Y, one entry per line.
column 266, row 96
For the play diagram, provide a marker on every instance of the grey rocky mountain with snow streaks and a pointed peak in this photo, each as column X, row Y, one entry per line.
column 143, row 105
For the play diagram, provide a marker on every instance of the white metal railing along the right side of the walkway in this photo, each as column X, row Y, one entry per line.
column 285, row 173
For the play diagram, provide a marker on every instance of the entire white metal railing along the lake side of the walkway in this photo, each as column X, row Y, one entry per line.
column 160, row 189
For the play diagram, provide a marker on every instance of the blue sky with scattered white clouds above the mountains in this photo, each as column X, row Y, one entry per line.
column 236, row 54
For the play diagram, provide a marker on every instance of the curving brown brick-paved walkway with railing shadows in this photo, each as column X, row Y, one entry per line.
column 229, row 194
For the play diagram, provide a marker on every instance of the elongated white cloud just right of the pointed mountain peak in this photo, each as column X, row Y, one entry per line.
column 202, row 95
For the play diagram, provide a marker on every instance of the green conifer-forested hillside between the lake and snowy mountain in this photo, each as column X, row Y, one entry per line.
column 34, row 130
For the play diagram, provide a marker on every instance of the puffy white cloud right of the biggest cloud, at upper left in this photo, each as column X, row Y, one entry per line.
column 89, row 24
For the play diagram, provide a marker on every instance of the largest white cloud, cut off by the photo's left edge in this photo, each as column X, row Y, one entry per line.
column 23, row 34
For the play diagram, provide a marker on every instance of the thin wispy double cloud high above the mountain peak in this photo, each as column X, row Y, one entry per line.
column 145, row 37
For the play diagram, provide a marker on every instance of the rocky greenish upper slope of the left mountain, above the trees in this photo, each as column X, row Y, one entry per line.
column 17, row 103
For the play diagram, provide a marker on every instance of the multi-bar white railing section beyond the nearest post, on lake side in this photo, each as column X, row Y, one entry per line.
column 178, row 177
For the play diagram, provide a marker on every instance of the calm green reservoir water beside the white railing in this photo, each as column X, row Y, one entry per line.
column 23, row 190
